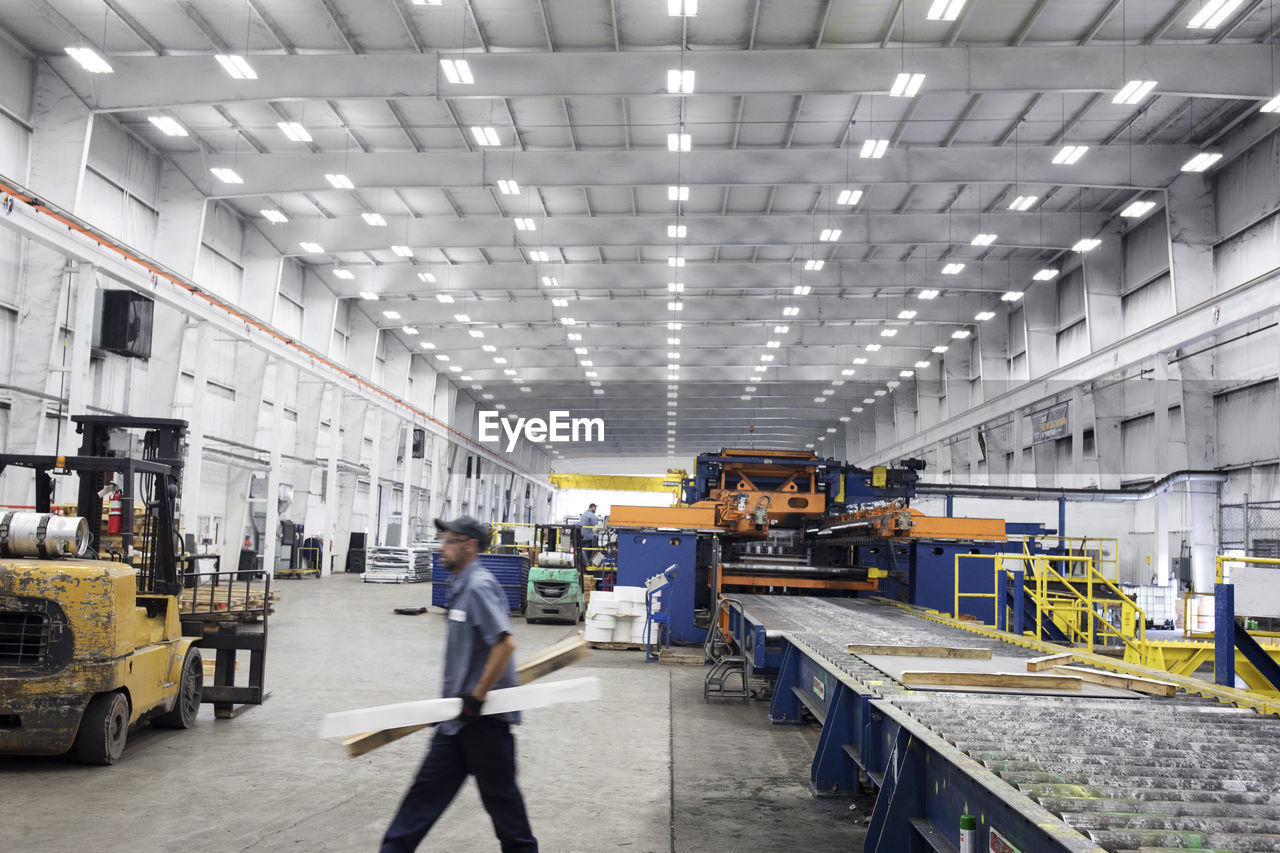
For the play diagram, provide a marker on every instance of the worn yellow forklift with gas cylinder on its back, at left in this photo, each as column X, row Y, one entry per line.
column 92, row 646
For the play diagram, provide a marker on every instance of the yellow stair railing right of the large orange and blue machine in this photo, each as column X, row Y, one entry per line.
column 1078, row 605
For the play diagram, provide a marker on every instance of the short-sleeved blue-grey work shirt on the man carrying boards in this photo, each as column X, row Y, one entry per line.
column 477, row 621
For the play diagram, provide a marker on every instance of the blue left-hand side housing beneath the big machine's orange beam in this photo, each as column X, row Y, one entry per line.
column 644, row 553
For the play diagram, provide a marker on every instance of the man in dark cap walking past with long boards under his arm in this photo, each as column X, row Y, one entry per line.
column 478, row 658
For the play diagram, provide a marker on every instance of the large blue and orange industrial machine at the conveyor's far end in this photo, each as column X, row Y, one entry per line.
column 793, row 523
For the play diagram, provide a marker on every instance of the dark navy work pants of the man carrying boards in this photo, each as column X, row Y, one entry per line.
column 486, row 750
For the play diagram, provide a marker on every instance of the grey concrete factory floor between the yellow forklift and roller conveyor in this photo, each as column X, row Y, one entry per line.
column 648, row 769
